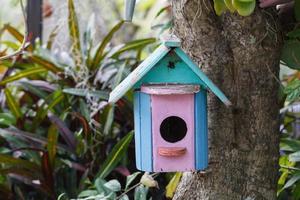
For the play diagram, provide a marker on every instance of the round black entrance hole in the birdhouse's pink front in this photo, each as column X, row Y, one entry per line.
column 173, row 129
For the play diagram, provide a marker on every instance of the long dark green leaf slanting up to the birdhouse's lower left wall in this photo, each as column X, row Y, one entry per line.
column 115, row 155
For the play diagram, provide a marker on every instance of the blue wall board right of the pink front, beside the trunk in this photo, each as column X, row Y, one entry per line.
column 201, row 138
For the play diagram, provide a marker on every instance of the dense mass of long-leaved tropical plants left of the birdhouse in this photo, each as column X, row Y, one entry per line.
column 57, row 129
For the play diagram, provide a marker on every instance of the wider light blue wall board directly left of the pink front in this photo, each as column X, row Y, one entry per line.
column 146, row 132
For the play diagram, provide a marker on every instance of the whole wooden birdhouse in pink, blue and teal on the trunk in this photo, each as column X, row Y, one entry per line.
column 170, row 110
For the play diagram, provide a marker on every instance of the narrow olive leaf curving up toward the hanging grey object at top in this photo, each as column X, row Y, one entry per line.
column 100, row 50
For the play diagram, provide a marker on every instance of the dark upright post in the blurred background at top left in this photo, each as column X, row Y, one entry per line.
column 34, row 19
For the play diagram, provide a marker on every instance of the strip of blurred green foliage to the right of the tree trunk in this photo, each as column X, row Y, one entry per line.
column 288, row 183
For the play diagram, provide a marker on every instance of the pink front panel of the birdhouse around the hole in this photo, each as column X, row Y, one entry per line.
column 164, row 106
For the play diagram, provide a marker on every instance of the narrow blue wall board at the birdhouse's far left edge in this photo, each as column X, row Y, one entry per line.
column 137, row 129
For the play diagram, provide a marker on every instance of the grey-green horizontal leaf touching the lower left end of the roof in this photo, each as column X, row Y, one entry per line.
column 83, row 93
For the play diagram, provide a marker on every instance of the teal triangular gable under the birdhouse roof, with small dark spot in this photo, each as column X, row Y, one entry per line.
column 170, row 69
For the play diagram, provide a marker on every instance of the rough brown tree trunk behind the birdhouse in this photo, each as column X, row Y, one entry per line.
column 241, row 55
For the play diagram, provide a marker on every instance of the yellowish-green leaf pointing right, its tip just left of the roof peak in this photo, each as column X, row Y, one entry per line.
column 136, row 44
